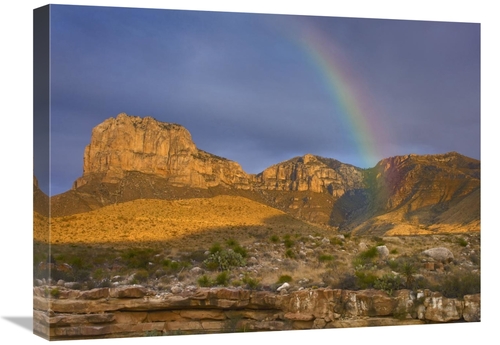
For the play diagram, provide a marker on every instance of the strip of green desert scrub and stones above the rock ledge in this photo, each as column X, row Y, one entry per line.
column 311, row 259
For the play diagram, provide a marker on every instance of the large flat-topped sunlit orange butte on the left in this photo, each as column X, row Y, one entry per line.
column 130, row 143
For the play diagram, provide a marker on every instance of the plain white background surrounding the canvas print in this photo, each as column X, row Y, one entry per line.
column 16, row 167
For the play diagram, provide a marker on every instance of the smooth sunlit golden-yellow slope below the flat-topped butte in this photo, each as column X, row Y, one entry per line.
column 195, row 220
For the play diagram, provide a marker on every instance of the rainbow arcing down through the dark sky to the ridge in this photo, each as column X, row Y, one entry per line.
column 353, row 105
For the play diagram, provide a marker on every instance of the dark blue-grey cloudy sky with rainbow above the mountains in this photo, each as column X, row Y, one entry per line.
column 262, row 88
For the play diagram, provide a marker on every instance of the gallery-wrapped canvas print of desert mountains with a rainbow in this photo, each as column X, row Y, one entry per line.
column 202, row 172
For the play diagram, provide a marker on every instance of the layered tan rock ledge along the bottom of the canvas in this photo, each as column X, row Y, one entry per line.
column 136, row 311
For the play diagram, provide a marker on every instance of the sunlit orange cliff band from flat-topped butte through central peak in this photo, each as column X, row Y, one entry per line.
column 130, row 143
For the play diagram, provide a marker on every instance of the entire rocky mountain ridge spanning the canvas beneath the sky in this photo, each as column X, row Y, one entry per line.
column 130, row 158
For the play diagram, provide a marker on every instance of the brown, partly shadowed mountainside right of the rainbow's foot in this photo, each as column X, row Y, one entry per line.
column 415, row 194
